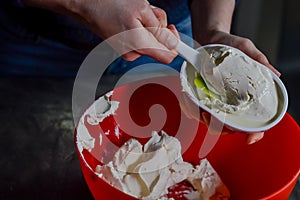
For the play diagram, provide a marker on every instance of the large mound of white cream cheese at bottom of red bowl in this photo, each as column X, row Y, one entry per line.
column 148, row 171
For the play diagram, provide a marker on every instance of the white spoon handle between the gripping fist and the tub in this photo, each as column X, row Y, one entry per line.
column 189, row 54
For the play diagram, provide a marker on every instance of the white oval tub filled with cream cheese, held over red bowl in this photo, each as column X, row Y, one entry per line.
column 242, row 93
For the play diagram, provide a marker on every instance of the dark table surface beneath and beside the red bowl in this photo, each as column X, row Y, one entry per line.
column 38, row 158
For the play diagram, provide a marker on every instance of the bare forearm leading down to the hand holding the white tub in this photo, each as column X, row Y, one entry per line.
column 209, row 16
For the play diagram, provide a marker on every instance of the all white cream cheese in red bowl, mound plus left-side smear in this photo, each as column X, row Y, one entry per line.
column 147, row 171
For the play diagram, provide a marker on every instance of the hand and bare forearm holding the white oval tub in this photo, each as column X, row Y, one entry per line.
column 211, row 20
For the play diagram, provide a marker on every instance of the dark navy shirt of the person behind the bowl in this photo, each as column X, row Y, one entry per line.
column 28, row 23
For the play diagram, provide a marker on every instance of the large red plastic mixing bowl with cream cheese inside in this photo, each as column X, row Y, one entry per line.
column 267, row 169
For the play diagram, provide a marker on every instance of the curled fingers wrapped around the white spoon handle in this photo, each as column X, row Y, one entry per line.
column 154, row 41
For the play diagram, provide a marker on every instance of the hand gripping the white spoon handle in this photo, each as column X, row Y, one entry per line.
column 144, row 28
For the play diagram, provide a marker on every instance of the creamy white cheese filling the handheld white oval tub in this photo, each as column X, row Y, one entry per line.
column 245, row 89
